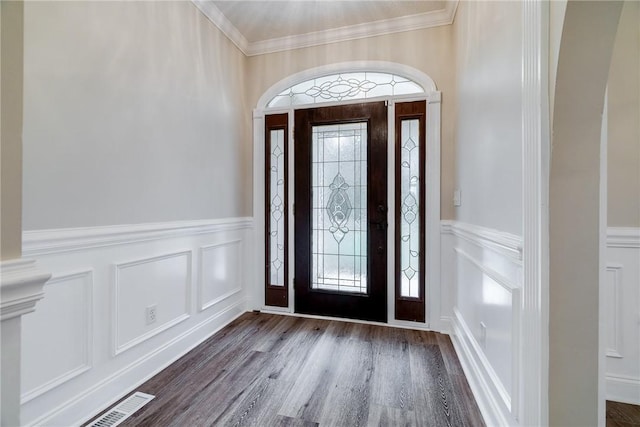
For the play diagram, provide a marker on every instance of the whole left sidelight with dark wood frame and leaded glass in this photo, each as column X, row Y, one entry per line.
column 276, row 288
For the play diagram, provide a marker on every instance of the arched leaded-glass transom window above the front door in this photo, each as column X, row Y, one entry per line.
column 345, row 86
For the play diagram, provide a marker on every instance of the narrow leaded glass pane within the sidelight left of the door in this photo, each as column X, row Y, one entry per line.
column 277, row 209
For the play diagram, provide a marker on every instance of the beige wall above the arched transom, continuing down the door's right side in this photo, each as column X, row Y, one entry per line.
column 428, row 50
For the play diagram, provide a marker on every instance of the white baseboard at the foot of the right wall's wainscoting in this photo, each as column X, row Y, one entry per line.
column 480, row 376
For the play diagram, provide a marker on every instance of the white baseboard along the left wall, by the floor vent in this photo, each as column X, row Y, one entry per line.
column 83, row 407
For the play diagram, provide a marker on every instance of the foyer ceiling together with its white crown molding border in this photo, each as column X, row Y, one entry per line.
column 262, row 26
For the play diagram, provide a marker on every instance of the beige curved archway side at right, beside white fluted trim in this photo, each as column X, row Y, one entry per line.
column 576, row 219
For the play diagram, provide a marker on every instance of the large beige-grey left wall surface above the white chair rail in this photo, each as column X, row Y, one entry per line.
column 133, row 113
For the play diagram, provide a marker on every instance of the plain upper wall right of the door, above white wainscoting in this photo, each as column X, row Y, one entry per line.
column 489, row 114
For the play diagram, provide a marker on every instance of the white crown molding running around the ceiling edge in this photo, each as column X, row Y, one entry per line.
column 377, row 28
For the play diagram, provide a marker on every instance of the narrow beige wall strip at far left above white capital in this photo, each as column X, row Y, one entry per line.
column 11, row 129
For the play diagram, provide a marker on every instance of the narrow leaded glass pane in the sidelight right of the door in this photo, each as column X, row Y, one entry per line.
column 410, row 208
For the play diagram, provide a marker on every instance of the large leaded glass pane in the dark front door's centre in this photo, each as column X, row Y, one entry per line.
column 339, row 207
